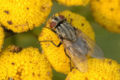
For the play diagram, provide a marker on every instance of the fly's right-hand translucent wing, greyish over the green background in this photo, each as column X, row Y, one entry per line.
column 93, row 49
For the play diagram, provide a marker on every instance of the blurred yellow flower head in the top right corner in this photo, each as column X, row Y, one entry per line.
column 106, row 12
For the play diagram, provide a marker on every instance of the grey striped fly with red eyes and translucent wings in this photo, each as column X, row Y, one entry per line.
column 77, row 45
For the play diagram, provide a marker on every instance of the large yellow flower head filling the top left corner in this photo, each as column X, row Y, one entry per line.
column 23, row 15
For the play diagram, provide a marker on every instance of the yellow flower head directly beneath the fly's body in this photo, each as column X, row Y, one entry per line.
column 56, row 55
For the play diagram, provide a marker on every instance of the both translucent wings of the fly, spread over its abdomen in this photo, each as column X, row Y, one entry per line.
column 80, row 49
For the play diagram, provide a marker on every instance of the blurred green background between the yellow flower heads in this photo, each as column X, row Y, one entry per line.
column 108, row 41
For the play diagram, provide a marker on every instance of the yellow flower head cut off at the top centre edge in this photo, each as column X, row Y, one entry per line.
column 74, row 2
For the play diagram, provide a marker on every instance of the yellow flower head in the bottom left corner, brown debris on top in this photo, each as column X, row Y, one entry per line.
column 24, row 64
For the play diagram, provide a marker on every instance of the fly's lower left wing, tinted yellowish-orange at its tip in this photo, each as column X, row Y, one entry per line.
column 78, row 59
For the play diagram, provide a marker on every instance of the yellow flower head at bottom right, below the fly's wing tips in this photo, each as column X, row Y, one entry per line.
column 107, row 69
